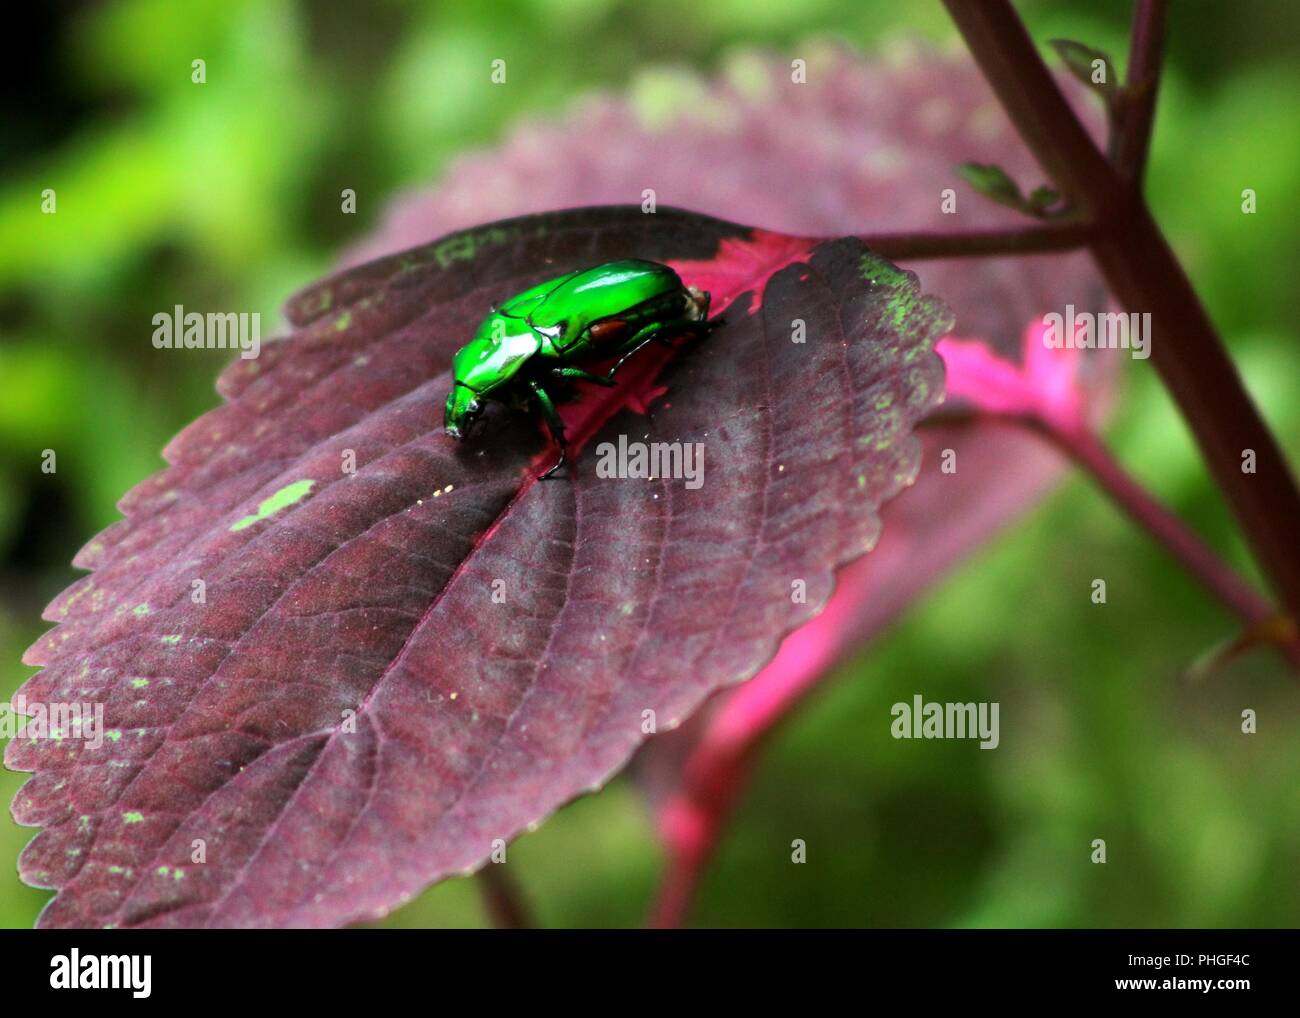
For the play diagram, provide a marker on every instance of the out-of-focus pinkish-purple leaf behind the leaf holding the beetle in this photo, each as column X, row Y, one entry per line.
column 861, row 148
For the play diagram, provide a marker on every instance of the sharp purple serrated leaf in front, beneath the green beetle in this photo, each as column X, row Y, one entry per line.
column 350, row 714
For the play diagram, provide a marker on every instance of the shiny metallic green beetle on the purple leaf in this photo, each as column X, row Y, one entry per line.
column 544, row 336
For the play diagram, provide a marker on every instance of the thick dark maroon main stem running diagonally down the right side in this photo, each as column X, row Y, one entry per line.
column 1145, row 276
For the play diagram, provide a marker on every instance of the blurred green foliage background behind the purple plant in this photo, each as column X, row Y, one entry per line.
column 1102, row 735
